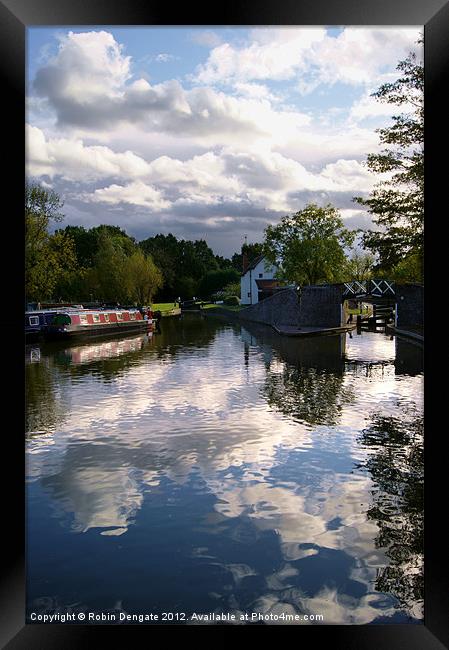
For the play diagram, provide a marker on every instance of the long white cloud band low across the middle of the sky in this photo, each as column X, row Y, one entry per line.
column 257, row 177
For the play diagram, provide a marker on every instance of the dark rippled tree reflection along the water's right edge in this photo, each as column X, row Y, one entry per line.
column 397, row 468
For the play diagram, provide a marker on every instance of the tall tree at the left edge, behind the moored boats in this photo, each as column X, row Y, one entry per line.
column 47, row 257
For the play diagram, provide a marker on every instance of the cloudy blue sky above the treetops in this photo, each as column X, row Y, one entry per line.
column 208, row 132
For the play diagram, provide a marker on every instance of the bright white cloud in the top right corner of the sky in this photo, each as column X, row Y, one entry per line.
column 355, row 56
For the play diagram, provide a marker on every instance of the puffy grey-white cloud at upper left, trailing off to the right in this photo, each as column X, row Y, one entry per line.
column 88, row 84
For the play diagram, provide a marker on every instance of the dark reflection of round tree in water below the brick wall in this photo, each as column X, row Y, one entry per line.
column 314, row 396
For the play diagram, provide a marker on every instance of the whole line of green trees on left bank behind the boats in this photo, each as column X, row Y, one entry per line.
column 106, row 264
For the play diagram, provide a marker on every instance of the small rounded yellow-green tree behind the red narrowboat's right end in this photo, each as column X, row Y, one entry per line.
column 143, row 278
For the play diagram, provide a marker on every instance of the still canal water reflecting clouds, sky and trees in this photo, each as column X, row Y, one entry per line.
column 216, row 468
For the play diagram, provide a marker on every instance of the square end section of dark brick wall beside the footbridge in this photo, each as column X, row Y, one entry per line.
column 321, row 306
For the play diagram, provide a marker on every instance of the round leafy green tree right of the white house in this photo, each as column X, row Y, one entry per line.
column 308, row 247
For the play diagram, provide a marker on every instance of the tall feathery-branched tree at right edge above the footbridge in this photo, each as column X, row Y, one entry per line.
column 397, row 204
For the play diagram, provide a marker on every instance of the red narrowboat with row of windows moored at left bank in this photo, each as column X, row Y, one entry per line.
column 72, row 323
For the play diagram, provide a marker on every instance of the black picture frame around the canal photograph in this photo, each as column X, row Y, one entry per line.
column 15, row 17
